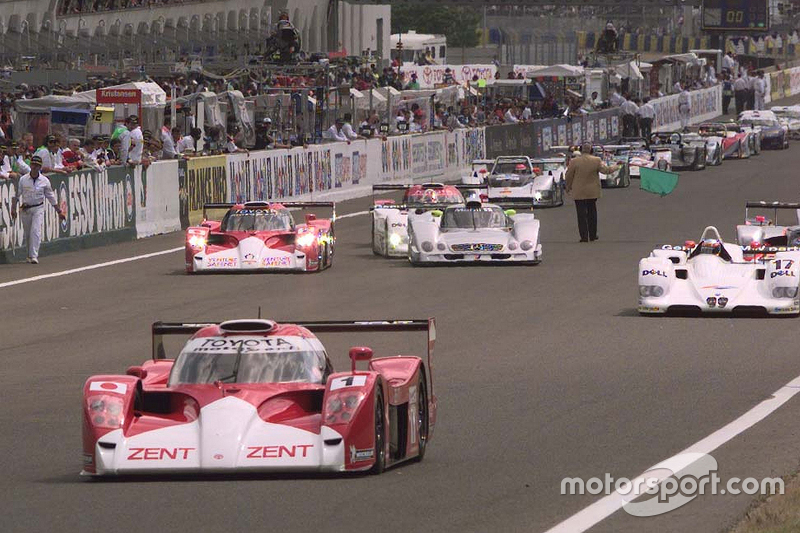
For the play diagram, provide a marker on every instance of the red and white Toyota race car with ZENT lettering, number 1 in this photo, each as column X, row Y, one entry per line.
column 258, row 396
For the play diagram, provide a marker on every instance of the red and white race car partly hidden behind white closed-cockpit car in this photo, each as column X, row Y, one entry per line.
column 390, row 219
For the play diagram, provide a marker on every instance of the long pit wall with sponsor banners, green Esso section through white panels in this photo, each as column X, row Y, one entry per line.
column 121, row 203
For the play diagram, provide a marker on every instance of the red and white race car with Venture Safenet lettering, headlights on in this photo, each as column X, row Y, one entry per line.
column 261, row 236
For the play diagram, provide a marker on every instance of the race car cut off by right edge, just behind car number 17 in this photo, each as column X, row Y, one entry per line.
column 759, row 230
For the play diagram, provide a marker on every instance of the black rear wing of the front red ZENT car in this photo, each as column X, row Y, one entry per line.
column 160, row 329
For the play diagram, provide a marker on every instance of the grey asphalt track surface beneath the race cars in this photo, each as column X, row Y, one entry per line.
column 541, row 372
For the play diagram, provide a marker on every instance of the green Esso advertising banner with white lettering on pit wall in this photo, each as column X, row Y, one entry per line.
column 100, row 208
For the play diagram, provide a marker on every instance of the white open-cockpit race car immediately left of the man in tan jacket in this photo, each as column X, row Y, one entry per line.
column 519, row 181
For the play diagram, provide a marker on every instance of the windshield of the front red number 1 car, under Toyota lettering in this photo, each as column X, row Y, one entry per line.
column 249, row 360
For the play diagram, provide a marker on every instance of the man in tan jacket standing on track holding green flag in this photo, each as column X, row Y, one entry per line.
column 583, row 183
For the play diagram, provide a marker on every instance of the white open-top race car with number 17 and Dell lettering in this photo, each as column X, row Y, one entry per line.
column 713, row 276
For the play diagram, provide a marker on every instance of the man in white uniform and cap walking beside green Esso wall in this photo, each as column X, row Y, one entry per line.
column 32, row 192
